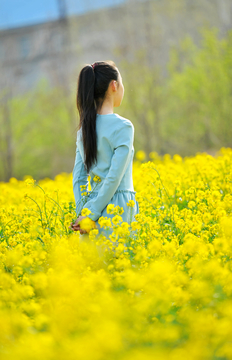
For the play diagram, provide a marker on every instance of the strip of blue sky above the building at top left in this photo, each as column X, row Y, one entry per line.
column 14, row 13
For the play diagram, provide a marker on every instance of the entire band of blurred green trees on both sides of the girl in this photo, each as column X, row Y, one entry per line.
column 186, row 112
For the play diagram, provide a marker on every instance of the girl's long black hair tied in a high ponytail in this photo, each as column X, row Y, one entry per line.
column 93, row 83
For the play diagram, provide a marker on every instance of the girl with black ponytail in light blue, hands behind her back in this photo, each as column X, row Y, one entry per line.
column 104, row 146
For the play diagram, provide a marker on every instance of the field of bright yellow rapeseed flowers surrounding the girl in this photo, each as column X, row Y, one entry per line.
column 157, row 288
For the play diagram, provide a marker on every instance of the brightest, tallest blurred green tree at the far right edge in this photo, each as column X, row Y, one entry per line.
column 199, row 89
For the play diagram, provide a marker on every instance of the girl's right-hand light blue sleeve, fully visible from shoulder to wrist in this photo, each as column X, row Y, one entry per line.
column 122, row 144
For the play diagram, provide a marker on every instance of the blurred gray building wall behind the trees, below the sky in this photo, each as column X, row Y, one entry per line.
column 56, row 50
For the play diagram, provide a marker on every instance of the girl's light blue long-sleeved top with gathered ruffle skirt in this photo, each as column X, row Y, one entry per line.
column 115, row 151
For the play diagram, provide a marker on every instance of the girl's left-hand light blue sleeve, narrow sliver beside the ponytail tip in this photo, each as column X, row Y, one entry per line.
column 80, row 177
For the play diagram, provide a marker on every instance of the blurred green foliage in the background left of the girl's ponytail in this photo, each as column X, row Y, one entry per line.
column 42, row 134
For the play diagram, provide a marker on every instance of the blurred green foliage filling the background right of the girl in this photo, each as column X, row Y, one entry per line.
column 189, row 110
